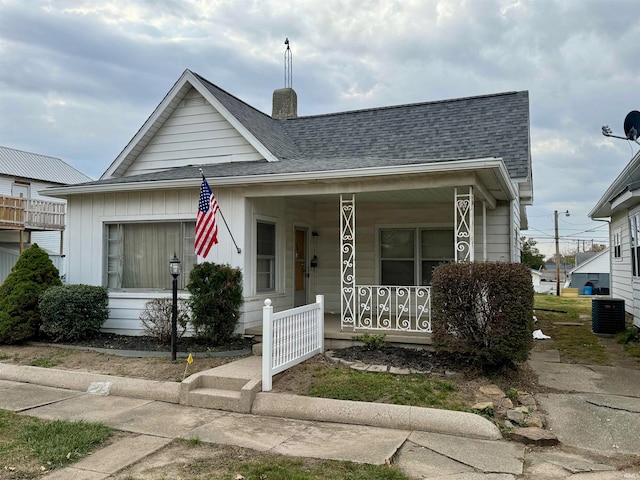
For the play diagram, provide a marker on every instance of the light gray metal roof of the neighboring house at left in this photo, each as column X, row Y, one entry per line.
column 38, row 167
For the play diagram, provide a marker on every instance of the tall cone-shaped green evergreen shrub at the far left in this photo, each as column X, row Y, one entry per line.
column 20, row 293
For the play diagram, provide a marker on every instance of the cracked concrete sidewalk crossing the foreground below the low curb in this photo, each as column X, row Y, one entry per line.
column 156, row 423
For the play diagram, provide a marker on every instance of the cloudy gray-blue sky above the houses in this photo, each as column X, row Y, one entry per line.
column 78, row 78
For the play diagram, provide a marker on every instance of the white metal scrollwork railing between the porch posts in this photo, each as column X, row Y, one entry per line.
column 401, row 308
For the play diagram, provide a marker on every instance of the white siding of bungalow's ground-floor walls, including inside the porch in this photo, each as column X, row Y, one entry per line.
column 90, row 212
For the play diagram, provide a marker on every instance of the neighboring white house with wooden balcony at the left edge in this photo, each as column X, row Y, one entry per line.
column 27, row 216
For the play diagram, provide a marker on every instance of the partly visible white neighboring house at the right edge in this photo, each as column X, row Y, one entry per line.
column 620, row 205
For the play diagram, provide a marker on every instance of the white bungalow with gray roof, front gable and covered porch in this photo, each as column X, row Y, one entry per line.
column 359, row 206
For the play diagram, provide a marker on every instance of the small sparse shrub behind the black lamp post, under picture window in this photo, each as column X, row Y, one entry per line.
column 156, row 318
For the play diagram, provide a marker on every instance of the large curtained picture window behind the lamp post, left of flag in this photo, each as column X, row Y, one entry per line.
column 138, row 254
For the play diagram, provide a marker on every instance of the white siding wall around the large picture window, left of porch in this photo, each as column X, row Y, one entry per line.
column 88, row 214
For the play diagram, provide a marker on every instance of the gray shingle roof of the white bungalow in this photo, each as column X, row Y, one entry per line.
column 466, row 128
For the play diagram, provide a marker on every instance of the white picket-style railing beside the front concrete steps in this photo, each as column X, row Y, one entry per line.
column 290, row 337
